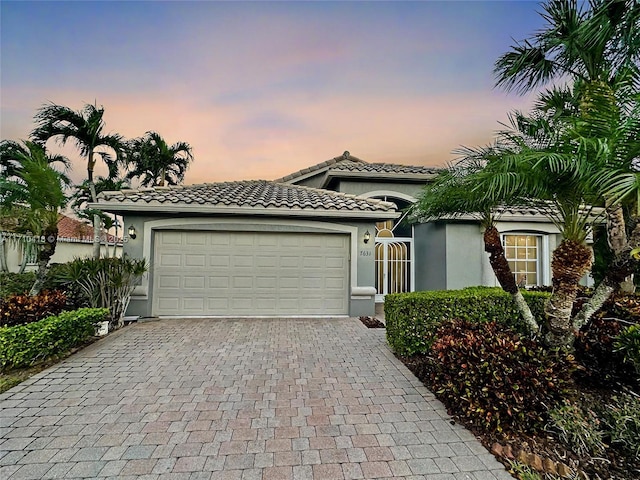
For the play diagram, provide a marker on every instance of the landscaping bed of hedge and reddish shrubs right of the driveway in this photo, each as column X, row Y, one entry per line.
column 546, row 414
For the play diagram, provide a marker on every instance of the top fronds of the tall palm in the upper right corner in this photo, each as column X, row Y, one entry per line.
column 596, row 44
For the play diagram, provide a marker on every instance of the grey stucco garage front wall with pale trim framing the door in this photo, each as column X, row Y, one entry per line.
column 362, row 271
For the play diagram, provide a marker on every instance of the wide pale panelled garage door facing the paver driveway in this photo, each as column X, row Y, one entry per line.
column 250, row 273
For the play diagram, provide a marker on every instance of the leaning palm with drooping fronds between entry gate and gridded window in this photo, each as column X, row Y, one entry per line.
column 451, row 195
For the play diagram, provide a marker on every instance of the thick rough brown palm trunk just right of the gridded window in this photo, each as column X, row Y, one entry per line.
column 571, row 261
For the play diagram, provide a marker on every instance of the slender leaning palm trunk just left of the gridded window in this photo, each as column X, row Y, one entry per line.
column 502, row 271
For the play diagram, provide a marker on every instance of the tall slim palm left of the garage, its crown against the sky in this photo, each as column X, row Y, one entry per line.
column 86, row 129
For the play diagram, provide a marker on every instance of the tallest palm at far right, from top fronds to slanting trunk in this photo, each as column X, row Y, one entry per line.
column 596, row 47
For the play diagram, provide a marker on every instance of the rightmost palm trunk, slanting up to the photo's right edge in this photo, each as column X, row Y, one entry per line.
column 620, row 268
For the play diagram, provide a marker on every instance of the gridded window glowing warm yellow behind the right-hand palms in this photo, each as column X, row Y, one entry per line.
column 523, row 255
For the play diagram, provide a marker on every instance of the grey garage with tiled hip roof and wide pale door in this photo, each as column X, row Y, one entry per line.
column 250, row 248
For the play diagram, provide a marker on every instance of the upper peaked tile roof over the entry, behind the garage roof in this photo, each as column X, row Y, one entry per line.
column 349, row 164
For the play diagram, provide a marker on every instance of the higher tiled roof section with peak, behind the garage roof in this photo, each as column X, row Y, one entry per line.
column 348, row 166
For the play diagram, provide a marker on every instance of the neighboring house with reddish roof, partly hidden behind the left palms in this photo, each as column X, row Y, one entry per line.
column 75, row 239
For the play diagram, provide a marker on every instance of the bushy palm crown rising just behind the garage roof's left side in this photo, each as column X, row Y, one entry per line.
column 155, row 163
